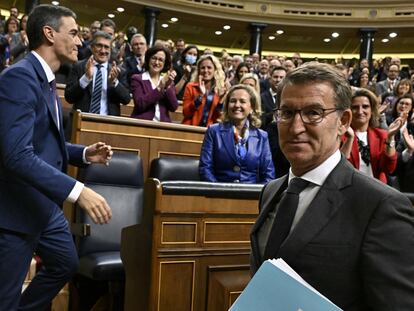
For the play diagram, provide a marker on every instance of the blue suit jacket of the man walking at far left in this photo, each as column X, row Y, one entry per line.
column 33, row 152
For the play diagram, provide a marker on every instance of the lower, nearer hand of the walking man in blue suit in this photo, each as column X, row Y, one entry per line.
column 95, row 205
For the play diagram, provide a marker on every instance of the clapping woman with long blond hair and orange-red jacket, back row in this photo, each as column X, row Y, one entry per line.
column 202, row 100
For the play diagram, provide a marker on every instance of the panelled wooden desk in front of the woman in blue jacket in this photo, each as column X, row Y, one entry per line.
column 188, row 253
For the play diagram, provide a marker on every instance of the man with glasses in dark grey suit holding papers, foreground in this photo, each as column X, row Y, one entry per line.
column 348, row 235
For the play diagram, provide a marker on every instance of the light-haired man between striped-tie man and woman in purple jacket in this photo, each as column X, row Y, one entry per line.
column 134, row 64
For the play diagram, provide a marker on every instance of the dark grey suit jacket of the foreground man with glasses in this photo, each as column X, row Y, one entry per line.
column 354, row 244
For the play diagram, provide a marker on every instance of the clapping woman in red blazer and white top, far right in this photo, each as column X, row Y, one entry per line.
column 369, row 148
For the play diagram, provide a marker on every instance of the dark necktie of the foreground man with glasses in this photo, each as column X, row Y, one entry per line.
column 284, row 217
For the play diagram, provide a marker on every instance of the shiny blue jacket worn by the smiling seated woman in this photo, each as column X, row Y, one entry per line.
column 218, row 158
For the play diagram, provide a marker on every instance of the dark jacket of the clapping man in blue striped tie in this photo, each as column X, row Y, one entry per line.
column 81, row 98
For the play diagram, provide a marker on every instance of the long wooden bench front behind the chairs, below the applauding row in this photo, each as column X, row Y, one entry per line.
column 147, row 138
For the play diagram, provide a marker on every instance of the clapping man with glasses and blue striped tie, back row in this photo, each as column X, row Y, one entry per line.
column 96, row 86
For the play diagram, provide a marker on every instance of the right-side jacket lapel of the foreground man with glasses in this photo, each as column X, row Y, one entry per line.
column 319, row 213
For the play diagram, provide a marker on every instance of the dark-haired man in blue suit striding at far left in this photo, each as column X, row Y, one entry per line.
column 33, row 161
